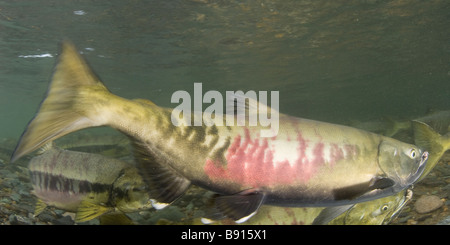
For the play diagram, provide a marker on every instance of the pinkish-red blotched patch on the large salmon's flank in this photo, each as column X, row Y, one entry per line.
column 250, row 162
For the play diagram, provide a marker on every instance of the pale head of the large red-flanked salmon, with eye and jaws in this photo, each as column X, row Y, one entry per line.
column 402, row 163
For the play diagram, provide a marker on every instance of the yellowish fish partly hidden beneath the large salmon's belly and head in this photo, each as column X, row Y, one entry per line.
column 376, row 212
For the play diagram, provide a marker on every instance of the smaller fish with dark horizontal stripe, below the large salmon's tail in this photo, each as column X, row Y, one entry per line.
column 87, row 184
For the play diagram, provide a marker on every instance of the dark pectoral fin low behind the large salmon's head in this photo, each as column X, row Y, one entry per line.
column 357, row 190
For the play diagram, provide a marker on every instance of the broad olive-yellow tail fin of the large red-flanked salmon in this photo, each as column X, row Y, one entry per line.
column 60, row 112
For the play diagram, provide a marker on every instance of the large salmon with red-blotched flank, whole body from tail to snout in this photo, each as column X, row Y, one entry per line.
column 308, row 163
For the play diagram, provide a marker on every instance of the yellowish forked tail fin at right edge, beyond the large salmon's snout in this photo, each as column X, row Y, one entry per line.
column 428, row 139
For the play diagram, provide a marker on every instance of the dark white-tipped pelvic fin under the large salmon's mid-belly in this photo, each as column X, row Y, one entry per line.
column 240, row 206
